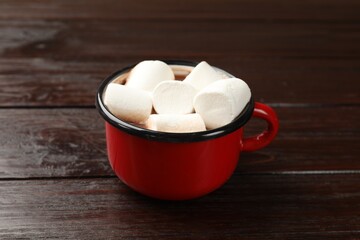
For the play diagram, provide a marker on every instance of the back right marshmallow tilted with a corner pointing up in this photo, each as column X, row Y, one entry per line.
column 202, row 75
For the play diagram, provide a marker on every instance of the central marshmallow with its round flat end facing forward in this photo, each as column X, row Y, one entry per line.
column 175, row 97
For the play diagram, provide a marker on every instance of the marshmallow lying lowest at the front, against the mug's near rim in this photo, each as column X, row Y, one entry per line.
column 176, row 123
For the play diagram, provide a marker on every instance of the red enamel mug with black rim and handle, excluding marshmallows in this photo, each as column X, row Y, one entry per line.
column 179, row 166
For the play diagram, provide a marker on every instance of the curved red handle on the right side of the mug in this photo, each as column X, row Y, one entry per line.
column 261, row 140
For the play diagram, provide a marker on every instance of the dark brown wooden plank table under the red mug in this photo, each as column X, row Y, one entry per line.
column 301, row 57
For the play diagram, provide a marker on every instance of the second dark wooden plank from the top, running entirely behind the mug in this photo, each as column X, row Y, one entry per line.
column 99, row 40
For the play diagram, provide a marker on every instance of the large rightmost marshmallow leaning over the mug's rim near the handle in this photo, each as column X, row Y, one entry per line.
column 222, row 101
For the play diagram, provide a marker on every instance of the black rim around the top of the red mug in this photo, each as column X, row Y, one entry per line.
column 237, row 123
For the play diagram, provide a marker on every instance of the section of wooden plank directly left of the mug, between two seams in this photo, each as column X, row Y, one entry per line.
column 52, row 142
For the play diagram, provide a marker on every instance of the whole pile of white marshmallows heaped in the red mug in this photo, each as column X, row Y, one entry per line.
column 152, row 98
